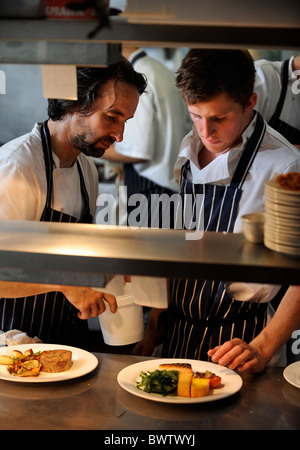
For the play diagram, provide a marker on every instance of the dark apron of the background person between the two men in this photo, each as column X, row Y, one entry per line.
column 137, row 184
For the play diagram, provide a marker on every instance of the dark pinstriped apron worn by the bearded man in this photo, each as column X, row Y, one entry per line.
column 50, row 316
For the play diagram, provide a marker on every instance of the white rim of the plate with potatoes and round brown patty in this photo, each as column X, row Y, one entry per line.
column 90, row 365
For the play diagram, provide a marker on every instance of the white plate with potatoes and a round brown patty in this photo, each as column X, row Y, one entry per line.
column 42, row 363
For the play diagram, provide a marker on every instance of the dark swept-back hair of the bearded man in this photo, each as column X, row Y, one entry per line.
column 89, row 83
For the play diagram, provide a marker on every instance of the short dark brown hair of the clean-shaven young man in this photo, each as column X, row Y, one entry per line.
column 204, row 74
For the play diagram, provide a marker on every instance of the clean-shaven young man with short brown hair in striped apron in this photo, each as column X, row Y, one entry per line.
column 228, row 156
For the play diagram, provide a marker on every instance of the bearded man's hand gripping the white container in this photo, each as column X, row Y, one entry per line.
column 89, row 302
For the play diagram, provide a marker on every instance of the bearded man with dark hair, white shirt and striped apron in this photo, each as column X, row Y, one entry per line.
column 48, row 175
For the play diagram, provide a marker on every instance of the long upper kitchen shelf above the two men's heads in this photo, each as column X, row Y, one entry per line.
column 153, row 34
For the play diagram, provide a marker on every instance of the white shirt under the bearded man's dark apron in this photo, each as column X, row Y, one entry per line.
column 23, row 186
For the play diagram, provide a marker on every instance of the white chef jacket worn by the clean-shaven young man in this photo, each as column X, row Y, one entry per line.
column 275, row 156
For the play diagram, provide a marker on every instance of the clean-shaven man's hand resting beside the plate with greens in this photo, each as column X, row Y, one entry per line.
column 237, row 354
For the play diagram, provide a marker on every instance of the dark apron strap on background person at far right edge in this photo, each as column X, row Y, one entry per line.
column 290, row 133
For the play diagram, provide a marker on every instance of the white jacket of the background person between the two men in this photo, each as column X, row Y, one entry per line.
column 159, row 124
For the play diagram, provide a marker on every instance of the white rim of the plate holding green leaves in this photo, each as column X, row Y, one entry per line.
column 142, row 365
